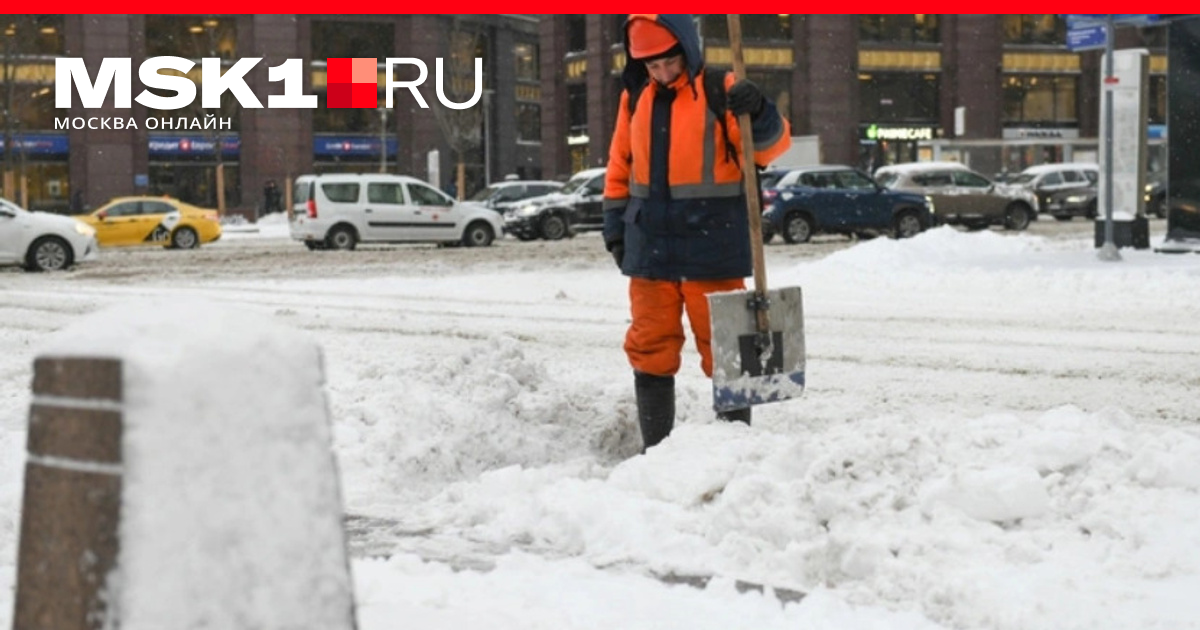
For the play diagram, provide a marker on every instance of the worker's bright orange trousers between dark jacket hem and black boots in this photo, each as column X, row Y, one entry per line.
column 655, row 341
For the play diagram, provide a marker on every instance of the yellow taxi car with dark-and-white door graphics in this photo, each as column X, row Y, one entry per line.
column 153, row 221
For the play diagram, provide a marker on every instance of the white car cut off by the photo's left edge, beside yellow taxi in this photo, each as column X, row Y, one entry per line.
column 41, row 242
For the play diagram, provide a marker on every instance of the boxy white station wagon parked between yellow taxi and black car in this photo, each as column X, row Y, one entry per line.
column 340, row 211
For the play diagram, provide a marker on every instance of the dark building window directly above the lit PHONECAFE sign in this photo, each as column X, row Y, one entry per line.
column 898, row 98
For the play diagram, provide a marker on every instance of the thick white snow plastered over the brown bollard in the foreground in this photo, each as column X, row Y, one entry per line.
column 231, row 513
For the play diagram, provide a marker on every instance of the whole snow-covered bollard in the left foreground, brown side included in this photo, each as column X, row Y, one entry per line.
column 182, row 475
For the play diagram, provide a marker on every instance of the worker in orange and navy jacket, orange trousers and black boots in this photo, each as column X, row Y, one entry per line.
column 675, row 206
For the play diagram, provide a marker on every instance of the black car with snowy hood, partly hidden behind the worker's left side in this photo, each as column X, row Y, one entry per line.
column 579, row 206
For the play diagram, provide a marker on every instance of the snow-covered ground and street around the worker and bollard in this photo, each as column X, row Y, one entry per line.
column 1000, row 433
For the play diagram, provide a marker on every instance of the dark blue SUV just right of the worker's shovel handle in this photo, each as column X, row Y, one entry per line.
column 841, row 200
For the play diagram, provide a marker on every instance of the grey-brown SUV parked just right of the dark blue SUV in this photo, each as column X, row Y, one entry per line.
column 963, row 196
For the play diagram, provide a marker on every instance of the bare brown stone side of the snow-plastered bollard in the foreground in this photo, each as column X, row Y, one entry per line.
column 69, row 538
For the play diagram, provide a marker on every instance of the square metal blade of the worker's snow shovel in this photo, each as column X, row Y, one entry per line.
column 748, row 369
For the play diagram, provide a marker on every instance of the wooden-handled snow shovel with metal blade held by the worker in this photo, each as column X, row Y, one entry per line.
column 758, row 335
